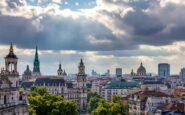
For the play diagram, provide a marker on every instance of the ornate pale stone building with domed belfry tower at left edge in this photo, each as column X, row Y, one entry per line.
column 12, row 100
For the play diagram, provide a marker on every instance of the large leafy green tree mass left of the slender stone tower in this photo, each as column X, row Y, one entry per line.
column 45, row 103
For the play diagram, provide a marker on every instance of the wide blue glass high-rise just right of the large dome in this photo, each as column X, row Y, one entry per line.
column 163, row 69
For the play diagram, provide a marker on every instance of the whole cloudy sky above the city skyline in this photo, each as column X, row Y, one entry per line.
column 105, row 33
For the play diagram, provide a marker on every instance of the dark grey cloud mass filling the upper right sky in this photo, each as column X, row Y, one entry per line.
column 150, row 29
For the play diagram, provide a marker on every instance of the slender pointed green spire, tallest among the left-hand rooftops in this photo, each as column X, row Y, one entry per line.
column 36, row 65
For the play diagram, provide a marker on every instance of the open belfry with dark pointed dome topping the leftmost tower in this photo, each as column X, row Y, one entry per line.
column 11, row 61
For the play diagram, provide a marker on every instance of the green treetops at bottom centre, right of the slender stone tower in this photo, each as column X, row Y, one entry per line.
column 99, row 106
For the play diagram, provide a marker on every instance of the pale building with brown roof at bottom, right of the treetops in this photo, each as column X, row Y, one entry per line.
column 138, row 102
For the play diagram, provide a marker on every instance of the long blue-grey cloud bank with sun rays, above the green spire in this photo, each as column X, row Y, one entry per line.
column 57, row 34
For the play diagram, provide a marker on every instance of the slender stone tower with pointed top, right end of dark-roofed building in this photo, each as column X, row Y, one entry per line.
column 81, row 84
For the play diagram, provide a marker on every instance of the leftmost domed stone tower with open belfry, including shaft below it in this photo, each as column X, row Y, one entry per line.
column 11, row 67
